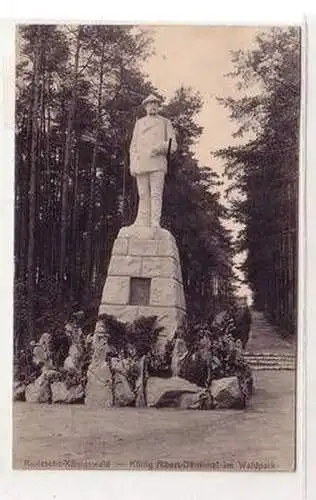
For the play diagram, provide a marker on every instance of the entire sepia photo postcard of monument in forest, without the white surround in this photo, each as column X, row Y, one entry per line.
column 156, row 238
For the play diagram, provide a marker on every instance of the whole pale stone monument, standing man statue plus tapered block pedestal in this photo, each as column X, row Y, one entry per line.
column 144, row 276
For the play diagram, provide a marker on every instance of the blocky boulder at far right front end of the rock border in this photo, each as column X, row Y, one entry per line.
column 226, row 393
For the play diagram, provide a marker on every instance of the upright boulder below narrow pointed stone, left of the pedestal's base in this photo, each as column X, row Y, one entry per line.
column 99, row 386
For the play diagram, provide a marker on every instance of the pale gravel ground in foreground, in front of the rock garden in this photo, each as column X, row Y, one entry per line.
column 49, row 436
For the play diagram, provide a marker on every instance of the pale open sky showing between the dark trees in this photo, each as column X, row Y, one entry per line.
column 200, row 57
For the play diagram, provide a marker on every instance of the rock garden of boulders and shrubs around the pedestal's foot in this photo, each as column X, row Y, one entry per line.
column 133, row 365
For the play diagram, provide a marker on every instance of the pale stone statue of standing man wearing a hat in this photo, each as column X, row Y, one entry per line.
column 153, row 139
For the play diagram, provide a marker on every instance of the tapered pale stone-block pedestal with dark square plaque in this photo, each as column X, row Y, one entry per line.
column 144, row 279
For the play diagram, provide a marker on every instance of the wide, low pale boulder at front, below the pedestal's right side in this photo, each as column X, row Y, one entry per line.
column 169, row 392
